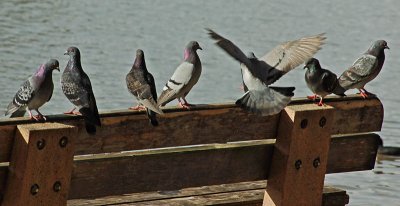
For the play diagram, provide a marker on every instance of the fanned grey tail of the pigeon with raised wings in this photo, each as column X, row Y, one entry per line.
column 265, row 102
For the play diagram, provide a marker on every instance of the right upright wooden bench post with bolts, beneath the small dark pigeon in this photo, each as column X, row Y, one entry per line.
column 300, row 157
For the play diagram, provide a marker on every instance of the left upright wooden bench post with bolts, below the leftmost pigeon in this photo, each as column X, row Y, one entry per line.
column 41, row 165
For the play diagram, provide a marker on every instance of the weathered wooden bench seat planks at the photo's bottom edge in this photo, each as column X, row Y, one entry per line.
column 243, row 193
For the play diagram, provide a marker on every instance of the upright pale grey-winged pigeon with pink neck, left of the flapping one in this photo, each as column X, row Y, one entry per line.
column 184, row 78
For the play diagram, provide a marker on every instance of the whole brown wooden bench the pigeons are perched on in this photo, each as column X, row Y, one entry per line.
column 211, row 154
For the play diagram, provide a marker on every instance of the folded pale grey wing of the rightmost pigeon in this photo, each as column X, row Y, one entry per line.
column 359, row 71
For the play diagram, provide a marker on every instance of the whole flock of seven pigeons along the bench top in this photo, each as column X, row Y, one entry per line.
column 257, row 75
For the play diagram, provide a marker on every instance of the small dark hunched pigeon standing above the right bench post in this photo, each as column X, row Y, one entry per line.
column 321, row 82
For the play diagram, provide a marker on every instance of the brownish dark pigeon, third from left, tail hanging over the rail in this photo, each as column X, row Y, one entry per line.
column 141, row 84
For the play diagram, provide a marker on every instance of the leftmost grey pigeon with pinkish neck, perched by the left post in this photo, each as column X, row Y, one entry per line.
column 34, row 92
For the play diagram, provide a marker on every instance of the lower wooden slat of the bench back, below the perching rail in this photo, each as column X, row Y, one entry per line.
column 191, row 166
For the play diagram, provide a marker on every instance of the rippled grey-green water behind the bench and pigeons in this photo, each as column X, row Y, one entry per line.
column 109, row 32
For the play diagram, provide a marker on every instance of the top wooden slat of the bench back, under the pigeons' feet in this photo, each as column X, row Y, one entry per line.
column 130, row 130
